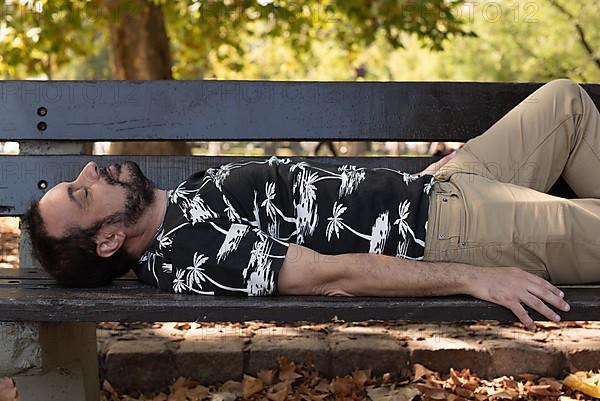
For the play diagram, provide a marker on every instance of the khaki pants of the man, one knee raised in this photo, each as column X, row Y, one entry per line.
column 489, row 206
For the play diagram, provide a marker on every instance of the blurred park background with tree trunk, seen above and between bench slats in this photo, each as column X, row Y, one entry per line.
column 319, row 40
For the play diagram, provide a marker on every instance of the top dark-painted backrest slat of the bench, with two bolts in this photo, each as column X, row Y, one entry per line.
column 255, row 110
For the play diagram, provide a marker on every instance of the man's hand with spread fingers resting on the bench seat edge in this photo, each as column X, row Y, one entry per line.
column 511, row 287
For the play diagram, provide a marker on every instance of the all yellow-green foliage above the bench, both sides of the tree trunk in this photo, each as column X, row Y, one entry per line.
column 504, row 40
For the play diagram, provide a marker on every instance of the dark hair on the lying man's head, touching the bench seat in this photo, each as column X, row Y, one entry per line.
column 72, row 260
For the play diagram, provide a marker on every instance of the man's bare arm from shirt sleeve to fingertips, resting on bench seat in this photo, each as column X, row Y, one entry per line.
column 306, row 272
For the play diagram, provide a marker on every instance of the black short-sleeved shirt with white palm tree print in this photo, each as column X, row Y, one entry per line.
column 226, row 230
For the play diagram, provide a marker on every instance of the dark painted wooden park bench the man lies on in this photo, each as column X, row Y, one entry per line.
column 48, row 332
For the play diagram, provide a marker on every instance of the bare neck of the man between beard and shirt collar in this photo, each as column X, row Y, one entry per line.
column 149, row 224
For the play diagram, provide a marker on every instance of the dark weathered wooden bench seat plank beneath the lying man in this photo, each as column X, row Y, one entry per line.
column 39, row 299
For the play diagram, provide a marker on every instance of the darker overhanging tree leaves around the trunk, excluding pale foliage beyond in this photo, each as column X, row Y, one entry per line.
column 40, row 36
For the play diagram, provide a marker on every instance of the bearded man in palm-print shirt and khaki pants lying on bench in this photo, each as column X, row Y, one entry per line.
column 478, row 222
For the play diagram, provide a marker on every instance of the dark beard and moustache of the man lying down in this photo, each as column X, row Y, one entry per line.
column 139, row 192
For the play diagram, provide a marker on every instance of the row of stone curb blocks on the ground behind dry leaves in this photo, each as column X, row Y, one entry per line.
column 151, row 363
